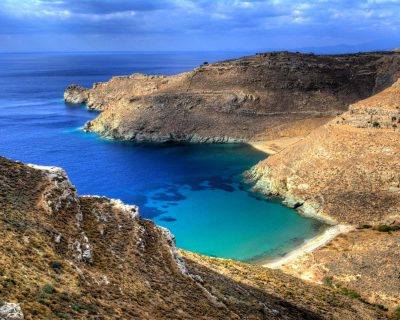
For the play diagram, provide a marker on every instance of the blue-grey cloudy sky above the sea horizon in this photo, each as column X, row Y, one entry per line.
column 169, row 25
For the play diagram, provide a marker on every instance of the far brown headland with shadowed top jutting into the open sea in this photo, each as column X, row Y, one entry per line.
column 235, row 100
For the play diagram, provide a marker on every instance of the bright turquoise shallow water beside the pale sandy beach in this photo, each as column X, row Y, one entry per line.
column 234, row 224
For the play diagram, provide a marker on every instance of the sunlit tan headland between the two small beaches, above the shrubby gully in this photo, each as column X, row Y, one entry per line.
column 348, row 170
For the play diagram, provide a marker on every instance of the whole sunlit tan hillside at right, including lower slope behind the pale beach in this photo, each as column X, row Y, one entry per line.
column 347, row 171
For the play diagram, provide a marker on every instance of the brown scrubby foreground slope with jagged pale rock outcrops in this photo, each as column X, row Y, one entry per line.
column 69, row 257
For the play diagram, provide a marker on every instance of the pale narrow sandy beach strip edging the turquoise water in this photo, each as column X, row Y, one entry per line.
column 309, row 246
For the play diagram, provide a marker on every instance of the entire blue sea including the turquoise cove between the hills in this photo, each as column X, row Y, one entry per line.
column 195, row 191
